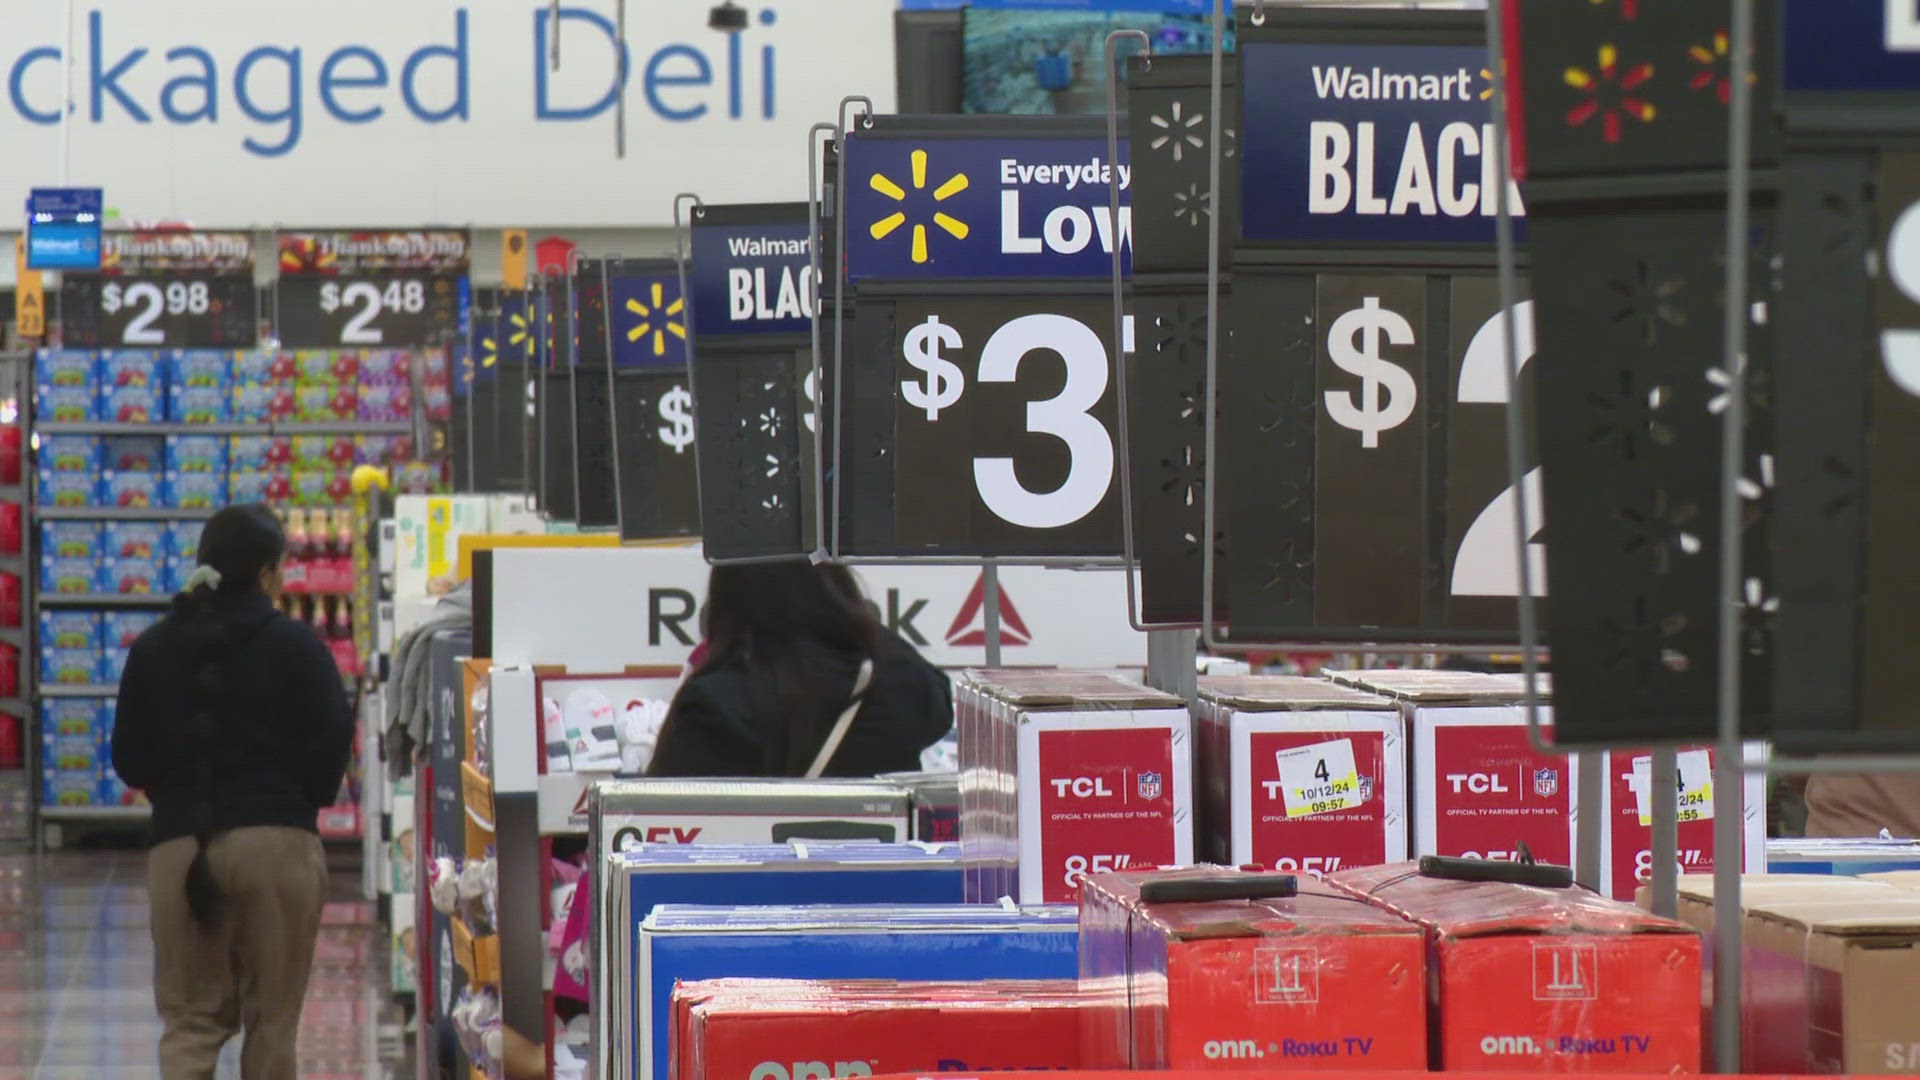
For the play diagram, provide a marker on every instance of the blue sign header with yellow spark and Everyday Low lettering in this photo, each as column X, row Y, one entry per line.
column 982, row 209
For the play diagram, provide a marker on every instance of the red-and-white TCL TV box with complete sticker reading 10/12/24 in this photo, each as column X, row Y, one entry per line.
column 1301, row 775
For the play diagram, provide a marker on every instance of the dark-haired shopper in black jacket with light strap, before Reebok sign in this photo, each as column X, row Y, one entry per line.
column 786, row 645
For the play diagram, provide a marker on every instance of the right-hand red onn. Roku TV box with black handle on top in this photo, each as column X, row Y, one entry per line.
column 1547, row 981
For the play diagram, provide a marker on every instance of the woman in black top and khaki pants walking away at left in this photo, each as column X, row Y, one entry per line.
column 235, row 724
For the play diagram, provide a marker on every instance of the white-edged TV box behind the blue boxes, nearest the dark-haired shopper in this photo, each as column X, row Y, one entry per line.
column 629, row 814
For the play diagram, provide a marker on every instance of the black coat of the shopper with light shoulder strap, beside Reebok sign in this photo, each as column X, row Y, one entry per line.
column 713, row 731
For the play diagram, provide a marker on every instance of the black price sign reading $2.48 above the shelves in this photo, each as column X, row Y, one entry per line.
column 370, row 310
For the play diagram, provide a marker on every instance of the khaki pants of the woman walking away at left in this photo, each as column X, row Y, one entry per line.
column 251, row 970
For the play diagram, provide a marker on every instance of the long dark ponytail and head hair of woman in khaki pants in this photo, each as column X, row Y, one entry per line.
column 241, row 545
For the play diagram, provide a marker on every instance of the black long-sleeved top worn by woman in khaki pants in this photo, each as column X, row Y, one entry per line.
column 285, row 737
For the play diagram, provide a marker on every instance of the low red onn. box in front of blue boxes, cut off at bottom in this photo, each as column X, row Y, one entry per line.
column 782, row 1029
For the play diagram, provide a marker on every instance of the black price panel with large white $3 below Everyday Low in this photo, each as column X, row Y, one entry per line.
column 1015, row 403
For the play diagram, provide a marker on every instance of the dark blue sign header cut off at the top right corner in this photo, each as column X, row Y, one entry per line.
column 1848, row 45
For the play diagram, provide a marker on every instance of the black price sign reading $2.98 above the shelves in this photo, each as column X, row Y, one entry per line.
column 178, row 310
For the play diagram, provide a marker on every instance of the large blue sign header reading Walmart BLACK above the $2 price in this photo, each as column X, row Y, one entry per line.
column 1368, row 143
